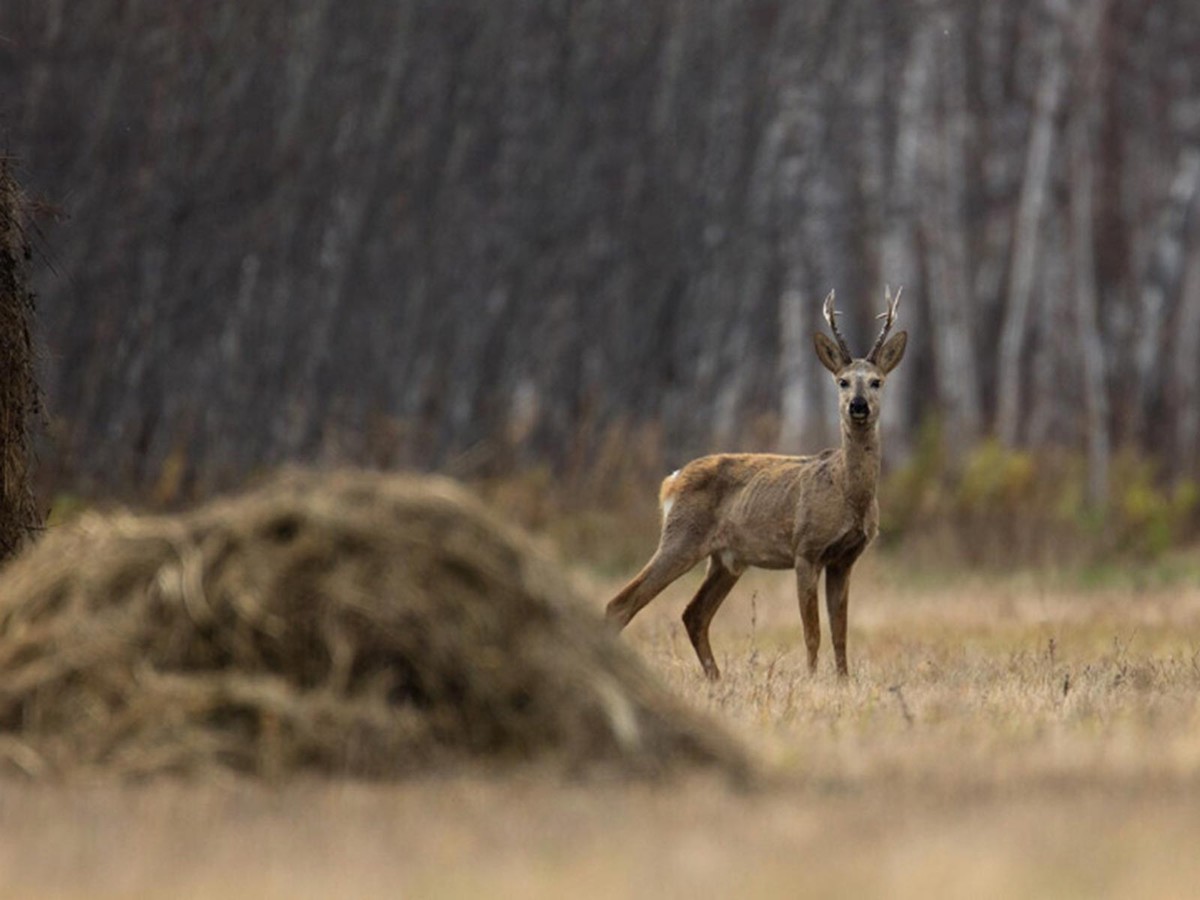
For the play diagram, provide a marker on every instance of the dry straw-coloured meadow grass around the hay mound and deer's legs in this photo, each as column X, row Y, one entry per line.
column 1005, row 736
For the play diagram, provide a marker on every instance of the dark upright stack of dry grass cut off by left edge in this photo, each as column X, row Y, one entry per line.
column 20, row 397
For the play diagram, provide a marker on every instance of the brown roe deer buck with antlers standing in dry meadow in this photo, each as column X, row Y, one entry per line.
column 772, row 512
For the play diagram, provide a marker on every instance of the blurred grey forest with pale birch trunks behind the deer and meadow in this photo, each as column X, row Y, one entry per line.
column 592, row 237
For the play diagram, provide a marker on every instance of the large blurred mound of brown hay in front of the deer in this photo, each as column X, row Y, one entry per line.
column 343, row 623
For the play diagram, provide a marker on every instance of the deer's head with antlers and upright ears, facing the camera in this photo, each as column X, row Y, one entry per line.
column 861, row 381
